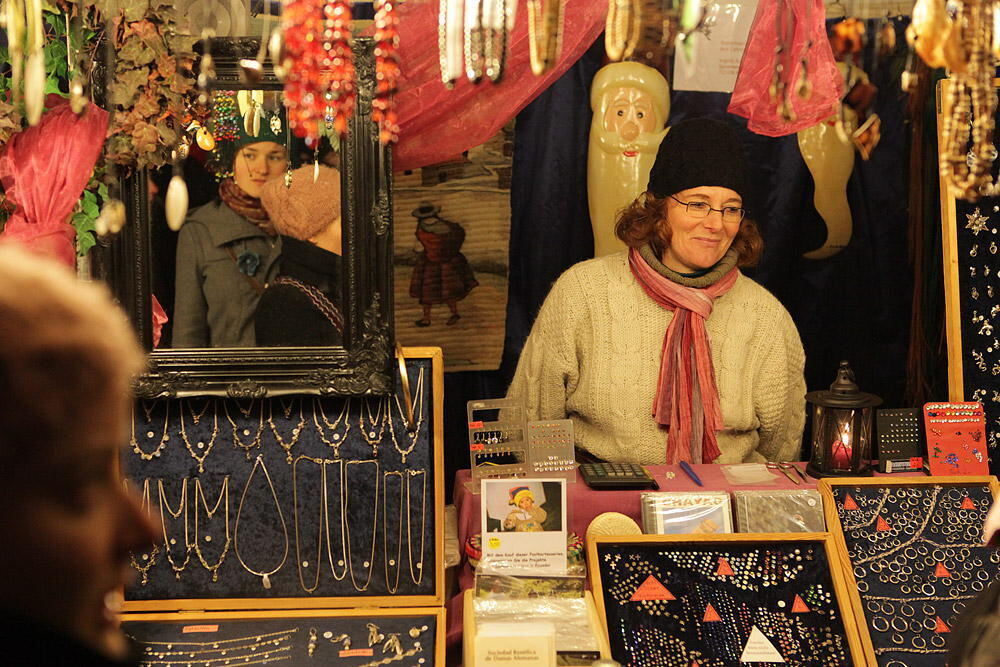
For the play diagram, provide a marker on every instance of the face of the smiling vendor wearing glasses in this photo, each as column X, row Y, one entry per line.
column 699, row 243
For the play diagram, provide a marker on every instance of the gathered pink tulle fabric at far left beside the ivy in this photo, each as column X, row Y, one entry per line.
column 44, row 169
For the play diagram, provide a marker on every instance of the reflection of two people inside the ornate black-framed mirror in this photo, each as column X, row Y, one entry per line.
column 258, row 260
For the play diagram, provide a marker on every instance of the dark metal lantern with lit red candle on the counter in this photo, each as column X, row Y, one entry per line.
column 841, row 428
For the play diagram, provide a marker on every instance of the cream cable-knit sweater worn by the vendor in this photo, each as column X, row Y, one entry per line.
column 594, row 356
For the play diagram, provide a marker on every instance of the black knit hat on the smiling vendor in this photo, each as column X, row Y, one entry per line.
column 698, row 152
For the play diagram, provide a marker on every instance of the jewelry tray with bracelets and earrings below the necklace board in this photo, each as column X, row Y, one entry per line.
column 352, row 638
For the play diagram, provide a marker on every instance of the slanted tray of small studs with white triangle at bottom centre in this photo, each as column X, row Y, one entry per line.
column 720, row 600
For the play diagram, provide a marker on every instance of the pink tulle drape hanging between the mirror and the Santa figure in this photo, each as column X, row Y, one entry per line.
column 437, row 124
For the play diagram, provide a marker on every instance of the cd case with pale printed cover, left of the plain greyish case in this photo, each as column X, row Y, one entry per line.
column 682, row 512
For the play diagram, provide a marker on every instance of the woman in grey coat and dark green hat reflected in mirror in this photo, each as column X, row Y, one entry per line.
column 228, row 250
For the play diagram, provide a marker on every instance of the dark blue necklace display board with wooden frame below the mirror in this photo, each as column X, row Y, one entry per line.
column 293, row 502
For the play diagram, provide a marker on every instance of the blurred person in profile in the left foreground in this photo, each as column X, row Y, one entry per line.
column 67, row 356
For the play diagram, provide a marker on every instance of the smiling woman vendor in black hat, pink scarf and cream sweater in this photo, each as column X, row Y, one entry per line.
column 666, row 352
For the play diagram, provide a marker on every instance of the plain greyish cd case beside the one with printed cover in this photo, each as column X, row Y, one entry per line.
column 779, row 511
